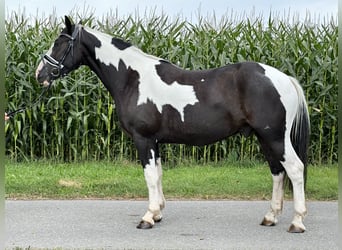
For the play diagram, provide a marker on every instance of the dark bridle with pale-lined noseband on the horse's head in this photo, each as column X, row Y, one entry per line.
column 57, row 66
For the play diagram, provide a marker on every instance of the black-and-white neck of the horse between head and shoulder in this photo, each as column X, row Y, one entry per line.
column 114, row 65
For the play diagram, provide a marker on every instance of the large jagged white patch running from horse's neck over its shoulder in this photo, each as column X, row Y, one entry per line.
column 151, row 87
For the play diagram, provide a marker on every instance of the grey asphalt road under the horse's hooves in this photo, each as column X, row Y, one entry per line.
column 94, row 224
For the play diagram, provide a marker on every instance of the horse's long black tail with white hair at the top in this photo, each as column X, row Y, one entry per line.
column 300, row 131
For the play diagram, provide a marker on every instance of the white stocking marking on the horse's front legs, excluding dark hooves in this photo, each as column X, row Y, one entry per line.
column 152, row 180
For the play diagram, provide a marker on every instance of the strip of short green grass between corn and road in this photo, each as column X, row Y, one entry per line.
column 105, row 180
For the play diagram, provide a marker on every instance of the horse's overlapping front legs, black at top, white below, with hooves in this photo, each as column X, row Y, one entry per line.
column 153, row 175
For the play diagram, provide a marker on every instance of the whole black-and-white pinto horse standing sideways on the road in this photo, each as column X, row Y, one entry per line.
column 158, row 102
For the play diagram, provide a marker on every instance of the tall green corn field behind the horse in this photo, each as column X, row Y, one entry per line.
column 76, row 119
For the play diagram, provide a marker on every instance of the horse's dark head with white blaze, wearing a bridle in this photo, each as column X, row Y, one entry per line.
column 63, row 56
